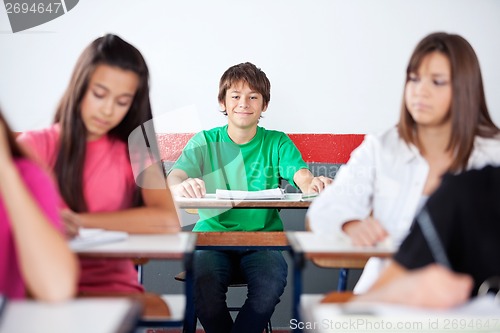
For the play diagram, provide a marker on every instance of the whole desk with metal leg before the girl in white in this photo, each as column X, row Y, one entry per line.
column 308, row 245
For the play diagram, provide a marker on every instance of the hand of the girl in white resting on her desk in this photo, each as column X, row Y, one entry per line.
column 367, row 232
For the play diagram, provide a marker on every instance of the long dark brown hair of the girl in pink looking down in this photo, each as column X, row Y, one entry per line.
column 108, row 50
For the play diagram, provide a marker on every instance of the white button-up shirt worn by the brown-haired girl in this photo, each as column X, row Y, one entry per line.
column 384, row 177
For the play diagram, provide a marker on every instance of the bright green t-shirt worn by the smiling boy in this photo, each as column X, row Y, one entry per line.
column 257, row 165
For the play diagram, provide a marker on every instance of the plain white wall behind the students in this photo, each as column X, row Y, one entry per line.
column 336, row 66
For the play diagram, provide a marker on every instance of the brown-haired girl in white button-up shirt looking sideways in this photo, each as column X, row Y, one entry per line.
column 444, row 127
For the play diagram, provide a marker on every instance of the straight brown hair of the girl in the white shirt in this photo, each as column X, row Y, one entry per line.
column 468, row 111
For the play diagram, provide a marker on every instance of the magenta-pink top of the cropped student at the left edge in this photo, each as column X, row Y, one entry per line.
column 45, row 193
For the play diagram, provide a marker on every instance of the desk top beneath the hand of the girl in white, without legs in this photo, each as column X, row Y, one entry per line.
column 315, row 246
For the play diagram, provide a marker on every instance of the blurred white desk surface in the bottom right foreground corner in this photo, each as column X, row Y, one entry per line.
column 478, row 315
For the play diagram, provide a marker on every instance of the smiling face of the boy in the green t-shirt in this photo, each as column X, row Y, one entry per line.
column 243, row 105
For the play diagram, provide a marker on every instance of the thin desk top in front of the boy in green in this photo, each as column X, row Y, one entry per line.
column 211, row 202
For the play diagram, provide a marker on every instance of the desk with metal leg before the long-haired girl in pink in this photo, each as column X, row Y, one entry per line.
column 178, row 246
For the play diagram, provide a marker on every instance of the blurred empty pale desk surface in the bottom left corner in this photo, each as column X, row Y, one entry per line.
column 77, row 316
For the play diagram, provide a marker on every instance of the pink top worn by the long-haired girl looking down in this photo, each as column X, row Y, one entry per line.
column 109, row 186
